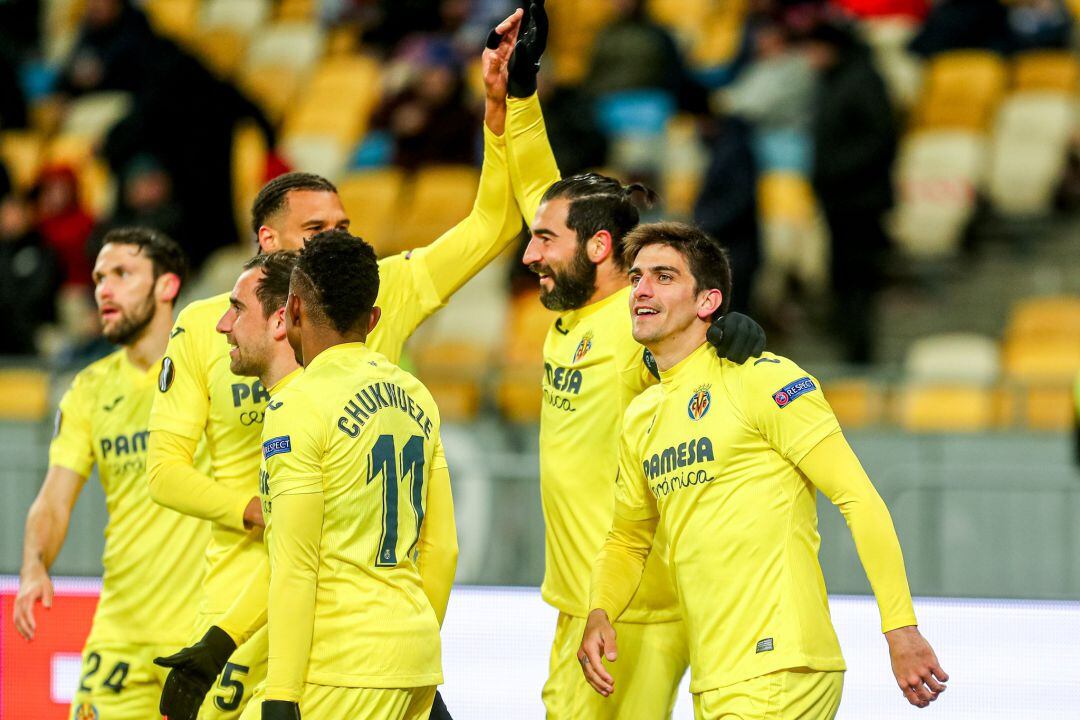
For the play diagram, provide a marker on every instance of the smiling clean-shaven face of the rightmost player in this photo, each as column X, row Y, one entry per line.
column 663, row 302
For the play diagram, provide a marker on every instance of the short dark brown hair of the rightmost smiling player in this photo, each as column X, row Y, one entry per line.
column 707, row 257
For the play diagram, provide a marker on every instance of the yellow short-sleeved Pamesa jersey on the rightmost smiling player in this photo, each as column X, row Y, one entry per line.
column 713, row 450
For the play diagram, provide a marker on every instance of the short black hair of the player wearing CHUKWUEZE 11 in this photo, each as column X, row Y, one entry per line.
column 339, row 277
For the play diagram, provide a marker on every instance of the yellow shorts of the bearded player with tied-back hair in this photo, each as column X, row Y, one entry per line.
column 653, row 659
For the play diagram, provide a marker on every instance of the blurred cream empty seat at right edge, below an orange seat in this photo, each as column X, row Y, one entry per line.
column 1030, row 151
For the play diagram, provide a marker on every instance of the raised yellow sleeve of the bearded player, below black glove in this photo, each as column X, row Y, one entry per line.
column 533, row 167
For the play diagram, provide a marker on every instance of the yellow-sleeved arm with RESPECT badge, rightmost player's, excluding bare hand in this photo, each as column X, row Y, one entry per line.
column 806, row 432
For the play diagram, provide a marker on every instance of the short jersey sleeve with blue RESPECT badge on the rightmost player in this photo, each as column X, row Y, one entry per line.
column 787, row 405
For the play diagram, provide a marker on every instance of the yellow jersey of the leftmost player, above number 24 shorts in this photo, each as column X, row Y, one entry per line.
column 154, row 560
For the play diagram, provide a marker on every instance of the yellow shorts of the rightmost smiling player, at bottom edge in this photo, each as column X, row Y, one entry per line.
column 795, row 695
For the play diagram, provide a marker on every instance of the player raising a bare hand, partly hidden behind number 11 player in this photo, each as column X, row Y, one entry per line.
column 207, row 399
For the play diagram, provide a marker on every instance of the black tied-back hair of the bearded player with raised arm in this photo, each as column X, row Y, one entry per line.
column 599, row 202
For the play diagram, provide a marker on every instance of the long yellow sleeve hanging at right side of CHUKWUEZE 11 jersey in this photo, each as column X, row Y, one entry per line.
column 439, row 537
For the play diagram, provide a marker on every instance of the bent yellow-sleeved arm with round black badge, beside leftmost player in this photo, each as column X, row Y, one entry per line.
column 178, row 423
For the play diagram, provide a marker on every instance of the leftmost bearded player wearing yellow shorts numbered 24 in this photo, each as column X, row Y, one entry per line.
column 154, row 564
